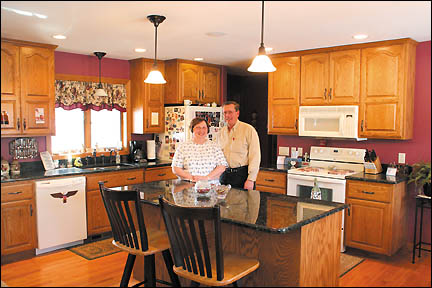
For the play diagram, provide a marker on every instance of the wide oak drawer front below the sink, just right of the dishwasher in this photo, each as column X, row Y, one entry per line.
column 114, row 179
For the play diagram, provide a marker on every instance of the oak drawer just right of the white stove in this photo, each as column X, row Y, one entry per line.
column 369, row 191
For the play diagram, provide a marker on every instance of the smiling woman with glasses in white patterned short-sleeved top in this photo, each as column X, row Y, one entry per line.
column 199, row 158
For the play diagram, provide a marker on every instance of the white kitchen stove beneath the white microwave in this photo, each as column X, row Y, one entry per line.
column 328, row 166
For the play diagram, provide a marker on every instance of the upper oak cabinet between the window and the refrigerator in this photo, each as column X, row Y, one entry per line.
column 147, row 100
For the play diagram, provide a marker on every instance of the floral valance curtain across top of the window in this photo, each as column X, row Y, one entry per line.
column 77, row 94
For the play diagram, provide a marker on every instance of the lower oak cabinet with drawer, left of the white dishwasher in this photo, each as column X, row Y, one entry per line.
column 18, row 217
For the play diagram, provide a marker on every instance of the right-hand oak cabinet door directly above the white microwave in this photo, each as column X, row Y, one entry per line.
column 344, row 83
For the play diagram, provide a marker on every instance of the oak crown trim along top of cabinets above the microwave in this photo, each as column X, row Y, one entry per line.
column 345, row 47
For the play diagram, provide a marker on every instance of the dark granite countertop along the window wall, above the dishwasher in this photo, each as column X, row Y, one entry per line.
column 37, row 173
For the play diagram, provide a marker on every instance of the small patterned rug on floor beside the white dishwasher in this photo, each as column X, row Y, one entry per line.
column 96, row 249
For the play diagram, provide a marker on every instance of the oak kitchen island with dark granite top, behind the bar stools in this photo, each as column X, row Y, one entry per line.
column 296, row 244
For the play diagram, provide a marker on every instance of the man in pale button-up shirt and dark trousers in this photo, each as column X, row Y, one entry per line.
column 240, row 143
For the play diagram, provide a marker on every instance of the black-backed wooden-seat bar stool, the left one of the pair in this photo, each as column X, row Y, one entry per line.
column 118, row 205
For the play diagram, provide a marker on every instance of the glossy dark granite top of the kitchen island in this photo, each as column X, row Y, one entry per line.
column 247, row 208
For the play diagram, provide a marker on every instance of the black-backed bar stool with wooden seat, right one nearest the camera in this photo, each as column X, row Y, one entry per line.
column 194, row 258
